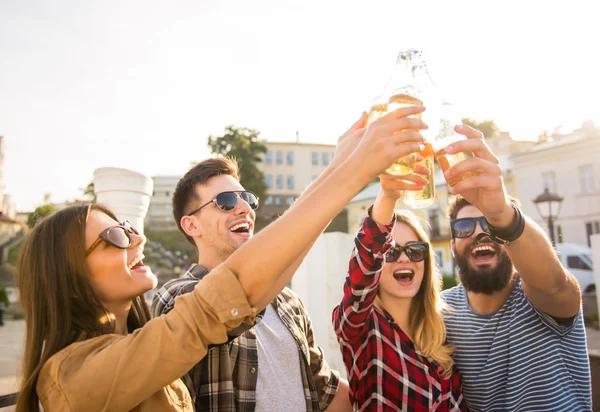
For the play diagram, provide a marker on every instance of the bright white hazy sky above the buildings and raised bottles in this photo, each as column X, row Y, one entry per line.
column 142, row 84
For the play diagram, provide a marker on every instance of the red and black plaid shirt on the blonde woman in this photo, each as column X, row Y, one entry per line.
column 386, row 371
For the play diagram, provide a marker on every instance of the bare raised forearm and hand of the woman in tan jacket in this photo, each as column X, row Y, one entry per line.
column 260, row 263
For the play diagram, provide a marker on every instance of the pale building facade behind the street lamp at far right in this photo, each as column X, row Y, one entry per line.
column 567, row 165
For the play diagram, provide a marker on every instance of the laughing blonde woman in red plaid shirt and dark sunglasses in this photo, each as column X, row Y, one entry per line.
column 389, row 324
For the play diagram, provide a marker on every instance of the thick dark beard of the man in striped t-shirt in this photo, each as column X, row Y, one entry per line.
column 484, row 279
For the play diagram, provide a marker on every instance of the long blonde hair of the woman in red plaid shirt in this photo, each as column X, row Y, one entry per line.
column 425, row 316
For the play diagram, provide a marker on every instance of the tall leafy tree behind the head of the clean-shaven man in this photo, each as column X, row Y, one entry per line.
column 244, row 145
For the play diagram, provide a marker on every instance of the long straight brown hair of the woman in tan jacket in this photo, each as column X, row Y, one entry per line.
column 59, row 302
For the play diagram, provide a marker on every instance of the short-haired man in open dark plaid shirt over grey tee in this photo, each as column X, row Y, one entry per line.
column 274, row 365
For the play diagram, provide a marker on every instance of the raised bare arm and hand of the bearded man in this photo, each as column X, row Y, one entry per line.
column 547, row 284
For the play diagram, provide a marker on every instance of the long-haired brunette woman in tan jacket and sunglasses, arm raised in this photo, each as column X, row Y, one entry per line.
column 89, row 342
